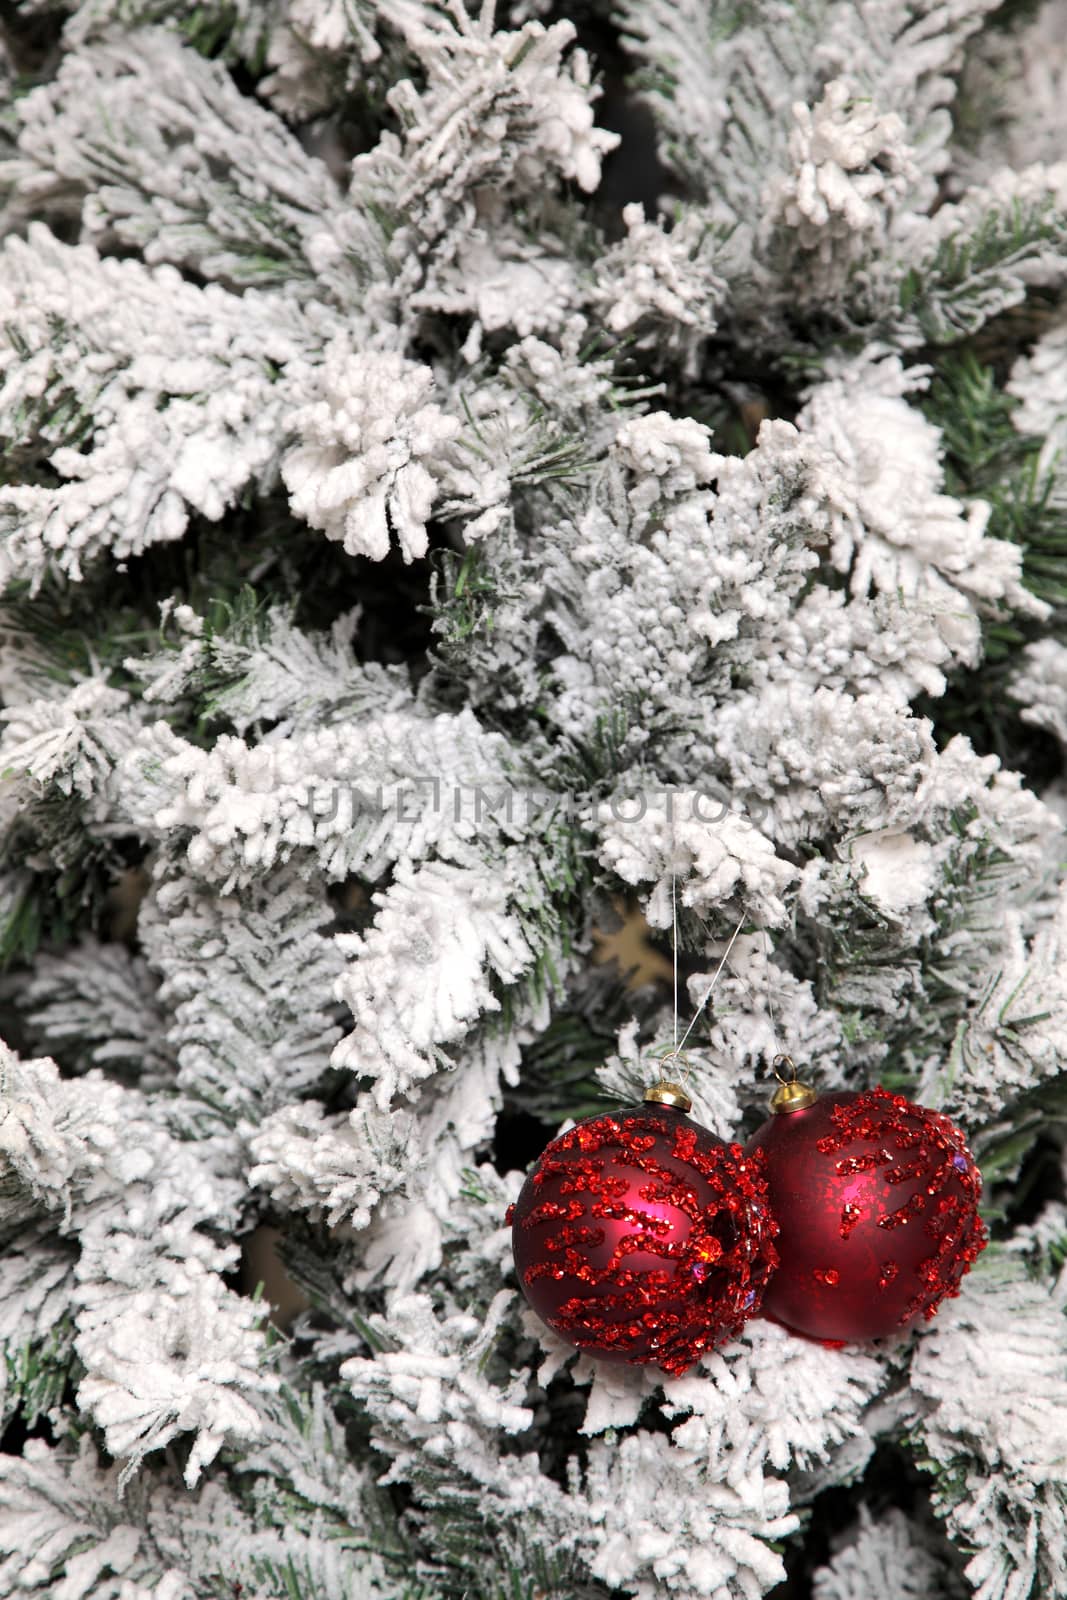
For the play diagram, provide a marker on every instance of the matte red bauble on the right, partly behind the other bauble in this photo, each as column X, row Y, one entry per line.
column 877, row 1209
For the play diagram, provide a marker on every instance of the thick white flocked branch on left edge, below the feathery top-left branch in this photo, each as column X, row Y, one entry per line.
column 170, row 383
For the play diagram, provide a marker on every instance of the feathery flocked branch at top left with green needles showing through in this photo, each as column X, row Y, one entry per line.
column 214, row 175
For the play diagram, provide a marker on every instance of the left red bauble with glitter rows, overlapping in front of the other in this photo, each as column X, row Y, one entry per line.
column 642, row 1238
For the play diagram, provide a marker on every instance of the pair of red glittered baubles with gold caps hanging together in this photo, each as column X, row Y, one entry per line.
column 642, row 1238
